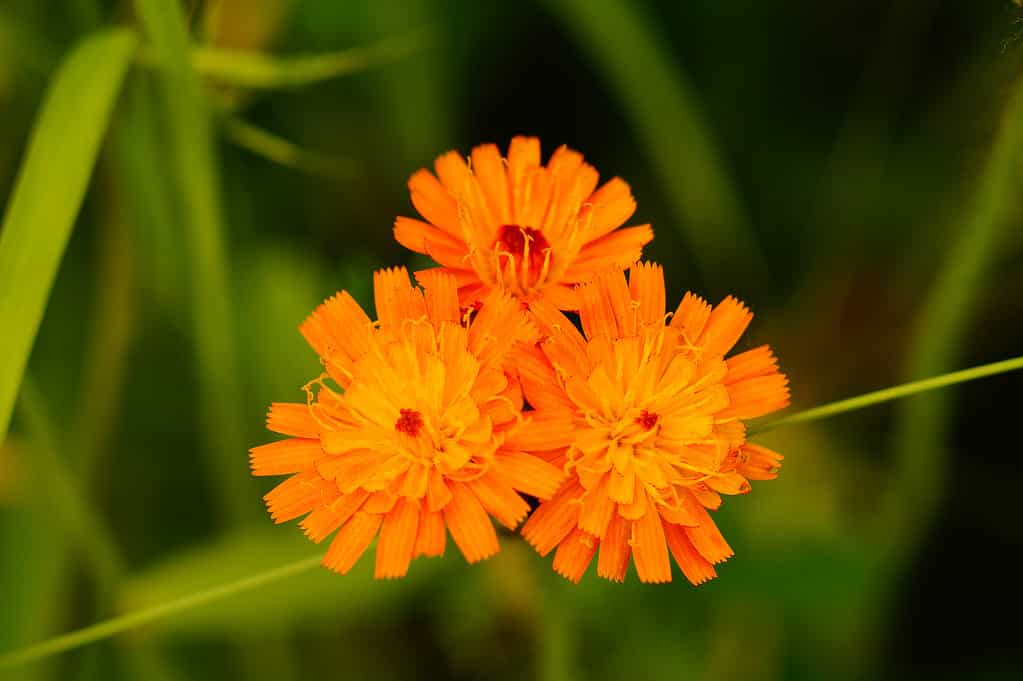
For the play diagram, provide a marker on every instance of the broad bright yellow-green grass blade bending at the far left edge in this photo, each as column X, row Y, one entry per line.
column 49, row 194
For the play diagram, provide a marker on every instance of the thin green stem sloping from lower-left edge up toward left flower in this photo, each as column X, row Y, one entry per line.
column 123, row 623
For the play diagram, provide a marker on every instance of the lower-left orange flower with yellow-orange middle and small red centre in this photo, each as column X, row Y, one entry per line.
column 426, row 432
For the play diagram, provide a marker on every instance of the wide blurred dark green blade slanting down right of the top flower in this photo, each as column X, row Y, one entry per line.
column 674, row 132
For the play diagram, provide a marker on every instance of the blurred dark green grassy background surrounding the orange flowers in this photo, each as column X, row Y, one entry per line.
column 849, row 168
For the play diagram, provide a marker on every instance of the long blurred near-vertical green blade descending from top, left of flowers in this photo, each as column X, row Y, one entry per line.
column 194, row 162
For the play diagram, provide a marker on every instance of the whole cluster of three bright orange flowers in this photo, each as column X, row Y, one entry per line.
column 474, row 391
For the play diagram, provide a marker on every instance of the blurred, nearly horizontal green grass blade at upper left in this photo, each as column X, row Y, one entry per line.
column 261, row 72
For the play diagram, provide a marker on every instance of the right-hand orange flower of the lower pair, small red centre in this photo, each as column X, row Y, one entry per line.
column 657, row 414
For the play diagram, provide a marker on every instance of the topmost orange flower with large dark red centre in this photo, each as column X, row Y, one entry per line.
column 517, row 225
